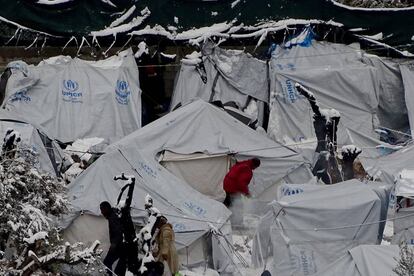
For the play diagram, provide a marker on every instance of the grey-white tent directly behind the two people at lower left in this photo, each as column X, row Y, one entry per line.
column 192, row 214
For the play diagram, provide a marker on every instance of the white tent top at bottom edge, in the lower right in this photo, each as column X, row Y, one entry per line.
column 365, row 260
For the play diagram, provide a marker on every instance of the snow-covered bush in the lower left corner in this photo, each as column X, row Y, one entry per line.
column 29, row 200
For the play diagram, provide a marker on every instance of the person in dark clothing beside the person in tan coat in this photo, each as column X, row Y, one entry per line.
column 117, row 249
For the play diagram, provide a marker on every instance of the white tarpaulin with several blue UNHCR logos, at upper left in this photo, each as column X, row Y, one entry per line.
column 74, row 98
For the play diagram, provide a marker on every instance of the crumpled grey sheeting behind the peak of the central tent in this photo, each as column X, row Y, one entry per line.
column 227, row 76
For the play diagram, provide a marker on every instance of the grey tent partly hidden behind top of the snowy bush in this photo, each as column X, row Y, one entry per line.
column 32, row 138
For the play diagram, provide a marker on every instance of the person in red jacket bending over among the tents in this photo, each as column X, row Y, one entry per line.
column 238, row 178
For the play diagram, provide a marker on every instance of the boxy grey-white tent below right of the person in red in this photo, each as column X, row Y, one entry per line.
column 308, row 230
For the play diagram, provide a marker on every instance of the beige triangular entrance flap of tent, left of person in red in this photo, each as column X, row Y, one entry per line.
column 203, row 172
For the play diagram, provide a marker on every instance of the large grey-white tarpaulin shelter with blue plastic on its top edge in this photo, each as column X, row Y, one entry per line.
column 340, row 80
